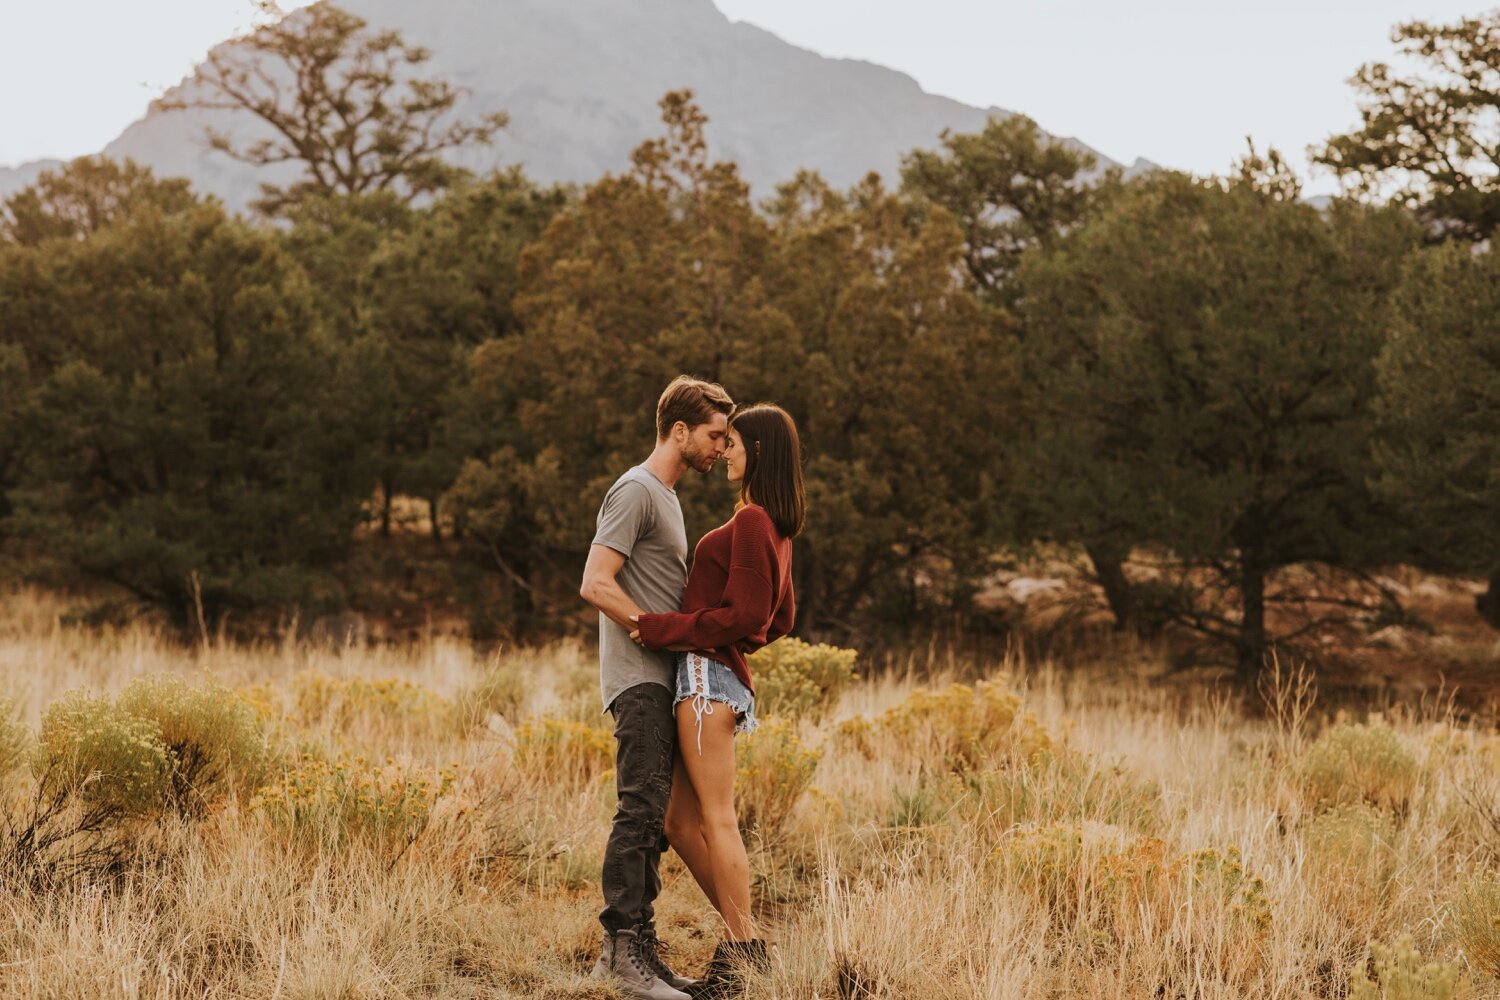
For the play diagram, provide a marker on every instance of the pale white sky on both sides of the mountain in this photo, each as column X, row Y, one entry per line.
column 1178, row 82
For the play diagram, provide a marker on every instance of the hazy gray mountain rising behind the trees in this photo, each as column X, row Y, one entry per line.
column 581, row 82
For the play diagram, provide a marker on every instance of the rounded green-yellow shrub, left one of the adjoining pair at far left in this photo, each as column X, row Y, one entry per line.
column 91, row 746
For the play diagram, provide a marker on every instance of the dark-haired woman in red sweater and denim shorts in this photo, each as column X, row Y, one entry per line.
column 739, row 599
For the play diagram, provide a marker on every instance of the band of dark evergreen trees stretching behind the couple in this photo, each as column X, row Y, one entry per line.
column 1007, row 347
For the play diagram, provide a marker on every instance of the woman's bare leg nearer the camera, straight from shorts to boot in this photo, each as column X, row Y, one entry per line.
column 712, row 776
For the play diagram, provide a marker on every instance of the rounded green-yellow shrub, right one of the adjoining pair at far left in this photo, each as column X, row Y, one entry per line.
column 212, row 737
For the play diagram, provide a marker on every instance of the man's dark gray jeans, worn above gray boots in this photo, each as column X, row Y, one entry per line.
column 646, row 737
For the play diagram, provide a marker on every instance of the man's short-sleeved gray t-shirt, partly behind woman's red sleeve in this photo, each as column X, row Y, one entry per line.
column 643, row 521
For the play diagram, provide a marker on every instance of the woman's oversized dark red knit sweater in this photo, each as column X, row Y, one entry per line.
column 739, row 594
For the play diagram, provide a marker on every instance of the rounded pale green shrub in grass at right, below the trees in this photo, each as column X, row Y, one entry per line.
column 1358, row 764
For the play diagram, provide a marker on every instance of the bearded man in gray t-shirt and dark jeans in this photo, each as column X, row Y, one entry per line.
column 637, row 564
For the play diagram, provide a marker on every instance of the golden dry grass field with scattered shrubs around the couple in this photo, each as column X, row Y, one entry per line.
column 428, row 822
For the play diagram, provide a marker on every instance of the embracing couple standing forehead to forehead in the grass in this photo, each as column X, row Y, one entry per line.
column 673, row 651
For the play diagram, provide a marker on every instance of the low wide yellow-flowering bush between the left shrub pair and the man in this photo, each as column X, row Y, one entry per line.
column 331, row 803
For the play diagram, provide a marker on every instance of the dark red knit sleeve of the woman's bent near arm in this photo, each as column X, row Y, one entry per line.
column 746, row 606
